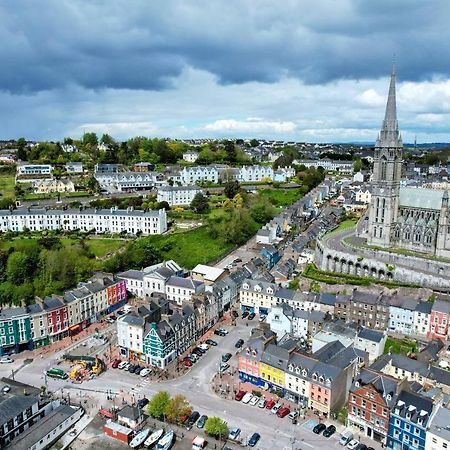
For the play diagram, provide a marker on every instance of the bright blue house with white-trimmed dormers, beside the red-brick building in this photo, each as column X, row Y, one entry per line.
column 408, row 422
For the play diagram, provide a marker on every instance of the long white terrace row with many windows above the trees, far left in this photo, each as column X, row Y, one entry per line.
column 101, row 220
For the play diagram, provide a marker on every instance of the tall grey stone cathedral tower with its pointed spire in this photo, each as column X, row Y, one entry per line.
column 387, row 165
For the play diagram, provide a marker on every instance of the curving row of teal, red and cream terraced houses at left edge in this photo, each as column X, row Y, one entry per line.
column 55, row 317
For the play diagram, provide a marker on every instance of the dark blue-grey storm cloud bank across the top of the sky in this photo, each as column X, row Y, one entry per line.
column 147, row 44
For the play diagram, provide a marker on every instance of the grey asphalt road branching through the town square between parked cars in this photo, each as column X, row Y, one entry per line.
column 195, row 386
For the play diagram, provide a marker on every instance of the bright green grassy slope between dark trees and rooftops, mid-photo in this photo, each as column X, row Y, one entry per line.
column 190, row 248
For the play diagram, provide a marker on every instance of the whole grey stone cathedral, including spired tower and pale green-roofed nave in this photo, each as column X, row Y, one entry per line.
column 402, row 217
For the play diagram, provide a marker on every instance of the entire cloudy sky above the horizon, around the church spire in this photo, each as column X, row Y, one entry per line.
column 312, row 70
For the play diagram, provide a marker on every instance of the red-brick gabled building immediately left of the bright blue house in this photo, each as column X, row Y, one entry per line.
column 370, row 401
